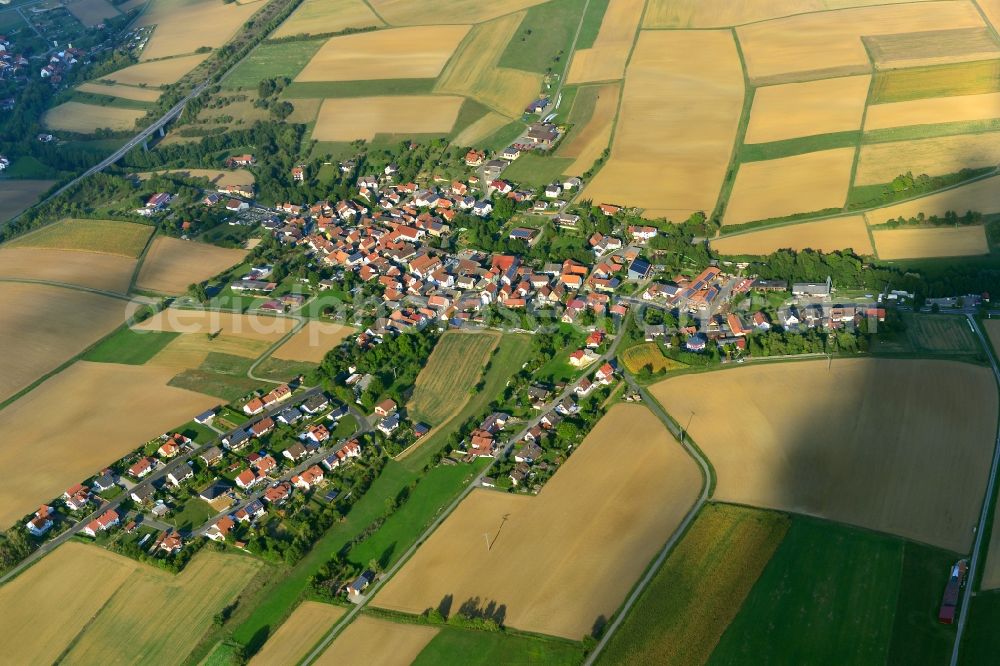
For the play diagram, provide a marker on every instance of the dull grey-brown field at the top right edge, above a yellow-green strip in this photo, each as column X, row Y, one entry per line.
column 932, row 47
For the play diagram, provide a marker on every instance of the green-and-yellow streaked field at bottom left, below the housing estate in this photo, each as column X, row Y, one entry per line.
column 156, row 617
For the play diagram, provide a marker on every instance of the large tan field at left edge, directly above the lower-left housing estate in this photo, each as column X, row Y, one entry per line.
column 80, row 420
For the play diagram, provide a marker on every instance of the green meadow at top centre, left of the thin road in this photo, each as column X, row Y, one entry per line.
column 543, row 39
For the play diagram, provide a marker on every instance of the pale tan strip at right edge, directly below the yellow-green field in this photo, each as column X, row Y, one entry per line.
column 933, row 110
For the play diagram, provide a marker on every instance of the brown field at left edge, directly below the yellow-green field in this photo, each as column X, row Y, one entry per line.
column 96, row 270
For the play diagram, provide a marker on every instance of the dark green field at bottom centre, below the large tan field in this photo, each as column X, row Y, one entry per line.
column 479, row 648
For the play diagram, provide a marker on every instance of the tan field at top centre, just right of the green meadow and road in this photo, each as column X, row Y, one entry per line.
column 605, row 60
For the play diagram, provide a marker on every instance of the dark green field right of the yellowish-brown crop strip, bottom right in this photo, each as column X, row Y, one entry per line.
column 828, row 596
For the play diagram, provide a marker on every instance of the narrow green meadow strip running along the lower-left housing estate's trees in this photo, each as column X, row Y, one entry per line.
column 277, row 602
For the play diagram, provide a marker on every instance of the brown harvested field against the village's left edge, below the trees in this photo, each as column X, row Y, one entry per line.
column 172, row 264
